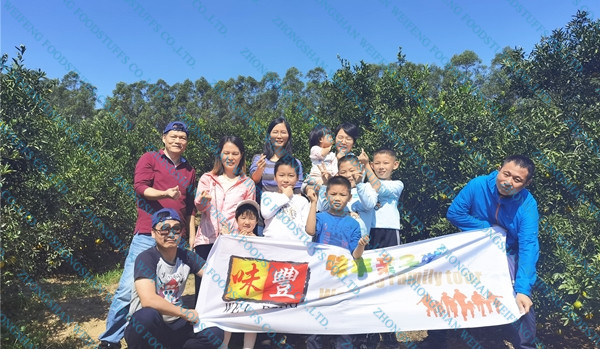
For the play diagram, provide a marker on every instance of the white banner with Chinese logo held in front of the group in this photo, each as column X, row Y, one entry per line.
column 255, row 284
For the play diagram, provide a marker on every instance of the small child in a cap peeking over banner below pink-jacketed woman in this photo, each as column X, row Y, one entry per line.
column 246, row 217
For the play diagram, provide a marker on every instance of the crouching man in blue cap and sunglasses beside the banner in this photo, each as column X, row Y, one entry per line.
column 158, row 318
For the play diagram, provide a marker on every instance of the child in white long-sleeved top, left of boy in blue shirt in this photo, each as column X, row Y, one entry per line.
column 284, row 212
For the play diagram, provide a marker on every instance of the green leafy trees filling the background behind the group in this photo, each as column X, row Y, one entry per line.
column 448, row 121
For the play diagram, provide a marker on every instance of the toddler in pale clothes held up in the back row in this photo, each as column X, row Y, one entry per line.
column 321, row 156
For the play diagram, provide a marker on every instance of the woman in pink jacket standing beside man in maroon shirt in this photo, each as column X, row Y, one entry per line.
column 219, row 191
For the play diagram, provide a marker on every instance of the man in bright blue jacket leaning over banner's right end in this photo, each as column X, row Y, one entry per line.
column 500, row 199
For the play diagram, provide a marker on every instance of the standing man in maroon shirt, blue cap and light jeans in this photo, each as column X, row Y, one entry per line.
column 161, row 180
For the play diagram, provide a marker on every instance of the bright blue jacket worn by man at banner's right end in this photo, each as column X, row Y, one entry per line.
column 478, row 206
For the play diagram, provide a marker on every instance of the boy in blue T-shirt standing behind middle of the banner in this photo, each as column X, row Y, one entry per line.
column 334, row 227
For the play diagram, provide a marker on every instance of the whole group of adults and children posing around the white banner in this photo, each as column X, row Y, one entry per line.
column 345, row 199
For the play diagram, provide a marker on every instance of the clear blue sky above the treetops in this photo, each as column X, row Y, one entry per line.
column 130, row 40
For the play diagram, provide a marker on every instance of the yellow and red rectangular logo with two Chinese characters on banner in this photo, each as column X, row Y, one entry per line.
column 266, row 281
